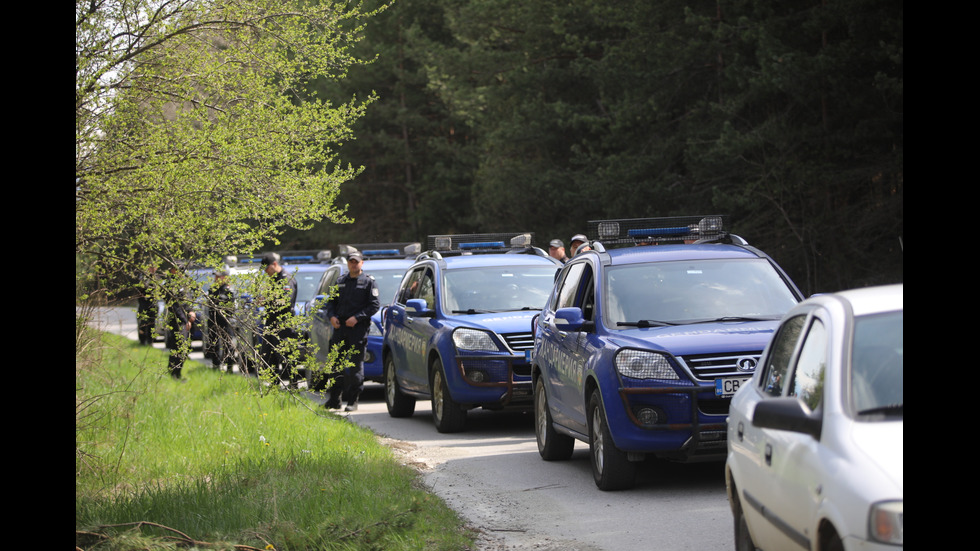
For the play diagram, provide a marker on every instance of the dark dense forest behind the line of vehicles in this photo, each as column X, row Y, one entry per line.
column 508, row 115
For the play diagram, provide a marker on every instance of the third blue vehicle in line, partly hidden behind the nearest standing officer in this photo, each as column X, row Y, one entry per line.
column 386, row 263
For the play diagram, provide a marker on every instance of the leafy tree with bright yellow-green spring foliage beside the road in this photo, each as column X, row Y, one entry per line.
column 196, row 132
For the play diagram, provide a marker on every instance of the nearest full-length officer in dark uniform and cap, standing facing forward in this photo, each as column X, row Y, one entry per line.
column 350, row 312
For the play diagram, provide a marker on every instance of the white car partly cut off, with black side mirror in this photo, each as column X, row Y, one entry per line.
column 815, row 440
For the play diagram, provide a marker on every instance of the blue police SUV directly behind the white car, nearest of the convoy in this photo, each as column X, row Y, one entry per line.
column 639, row 349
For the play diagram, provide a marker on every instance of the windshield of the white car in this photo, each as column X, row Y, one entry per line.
column 877, row 364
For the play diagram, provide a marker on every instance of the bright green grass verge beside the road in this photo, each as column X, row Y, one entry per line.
column 218, row 462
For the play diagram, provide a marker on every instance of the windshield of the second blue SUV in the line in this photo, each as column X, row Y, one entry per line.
column 497, row 288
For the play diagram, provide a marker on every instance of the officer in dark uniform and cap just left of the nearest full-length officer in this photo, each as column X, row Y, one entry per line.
column 278, row 310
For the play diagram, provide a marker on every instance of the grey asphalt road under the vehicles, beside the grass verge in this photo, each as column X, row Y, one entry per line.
column 493, row 476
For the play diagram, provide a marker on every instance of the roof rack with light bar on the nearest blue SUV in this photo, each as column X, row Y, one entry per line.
column 664, row 231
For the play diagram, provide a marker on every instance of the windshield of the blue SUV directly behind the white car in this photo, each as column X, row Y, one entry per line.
column 694, row 292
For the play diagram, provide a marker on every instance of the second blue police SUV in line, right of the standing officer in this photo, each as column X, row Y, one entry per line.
column 458, row 328
